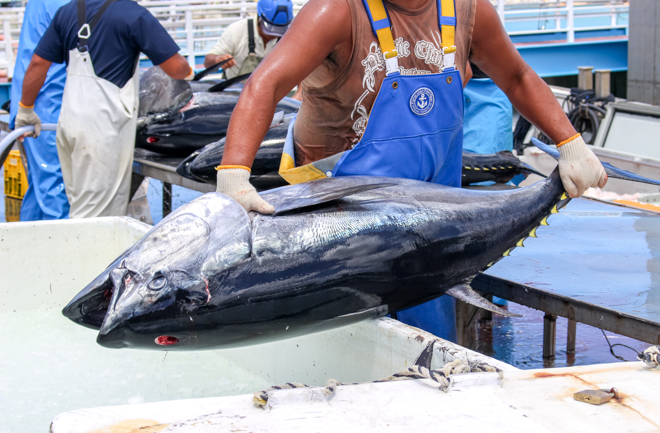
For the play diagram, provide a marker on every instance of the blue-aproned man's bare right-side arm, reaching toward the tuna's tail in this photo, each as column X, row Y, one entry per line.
column 494, row 53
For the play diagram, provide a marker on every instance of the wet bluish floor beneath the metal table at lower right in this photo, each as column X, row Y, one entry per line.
column 519, row 341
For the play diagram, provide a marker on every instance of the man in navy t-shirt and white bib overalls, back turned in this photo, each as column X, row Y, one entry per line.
column 100, row 41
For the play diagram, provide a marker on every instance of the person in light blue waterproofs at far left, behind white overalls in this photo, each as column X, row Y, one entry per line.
column 45, row 197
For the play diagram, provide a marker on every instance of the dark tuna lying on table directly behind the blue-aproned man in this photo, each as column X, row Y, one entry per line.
column 200, row 165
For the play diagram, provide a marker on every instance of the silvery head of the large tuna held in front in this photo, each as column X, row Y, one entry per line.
column 163, row 279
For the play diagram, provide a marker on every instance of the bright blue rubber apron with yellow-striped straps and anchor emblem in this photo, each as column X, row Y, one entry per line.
column 414, row 131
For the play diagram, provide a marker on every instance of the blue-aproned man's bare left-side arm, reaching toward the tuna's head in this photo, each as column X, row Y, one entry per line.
column 319, row 28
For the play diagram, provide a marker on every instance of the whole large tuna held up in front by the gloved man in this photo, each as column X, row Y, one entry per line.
column 336, row 251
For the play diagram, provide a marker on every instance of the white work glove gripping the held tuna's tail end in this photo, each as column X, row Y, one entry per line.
column 579, row 168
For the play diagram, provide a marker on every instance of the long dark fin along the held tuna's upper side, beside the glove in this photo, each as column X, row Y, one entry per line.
column 320, row 191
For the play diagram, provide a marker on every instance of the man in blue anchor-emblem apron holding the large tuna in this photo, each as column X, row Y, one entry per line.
column 382, row 95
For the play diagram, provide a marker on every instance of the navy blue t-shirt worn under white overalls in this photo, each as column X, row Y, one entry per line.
column 125, row 30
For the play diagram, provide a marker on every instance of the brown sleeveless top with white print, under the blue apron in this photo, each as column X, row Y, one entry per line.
column 333, row 118
